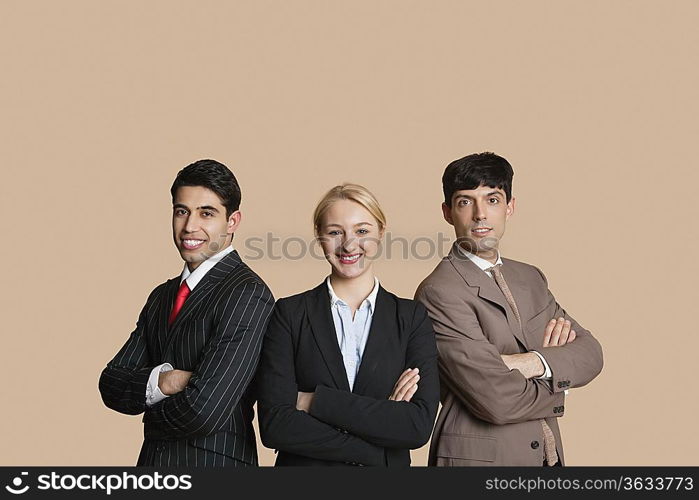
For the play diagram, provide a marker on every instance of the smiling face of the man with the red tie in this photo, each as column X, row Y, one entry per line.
column 200, row 227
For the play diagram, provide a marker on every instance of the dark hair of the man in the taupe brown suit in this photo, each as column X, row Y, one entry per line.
column 478, row 169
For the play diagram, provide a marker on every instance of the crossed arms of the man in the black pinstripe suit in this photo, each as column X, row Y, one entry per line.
column 223, row 373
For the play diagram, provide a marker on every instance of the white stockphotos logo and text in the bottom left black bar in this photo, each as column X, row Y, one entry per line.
column 100, row 482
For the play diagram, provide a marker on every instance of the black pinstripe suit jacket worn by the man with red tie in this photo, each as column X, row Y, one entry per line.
column 218, row 336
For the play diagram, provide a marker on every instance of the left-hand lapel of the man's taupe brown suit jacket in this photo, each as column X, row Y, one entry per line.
column 487, row 289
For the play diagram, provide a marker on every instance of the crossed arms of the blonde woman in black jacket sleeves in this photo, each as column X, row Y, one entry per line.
column 337, row 425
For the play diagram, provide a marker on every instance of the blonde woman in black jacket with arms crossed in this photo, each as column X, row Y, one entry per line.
column 348, row 373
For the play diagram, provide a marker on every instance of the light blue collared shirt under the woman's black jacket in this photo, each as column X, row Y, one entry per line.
column 352, row 333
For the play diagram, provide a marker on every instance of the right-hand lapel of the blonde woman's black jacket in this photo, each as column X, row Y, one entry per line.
column 383, row 322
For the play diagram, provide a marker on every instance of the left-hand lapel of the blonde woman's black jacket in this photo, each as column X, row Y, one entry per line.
column 323, row 328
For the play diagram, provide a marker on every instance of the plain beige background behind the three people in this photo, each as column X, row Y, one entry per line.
column 594, row 103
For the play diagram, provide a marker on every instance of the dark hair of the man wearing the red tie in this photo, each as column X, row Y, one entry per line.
column 211, row 175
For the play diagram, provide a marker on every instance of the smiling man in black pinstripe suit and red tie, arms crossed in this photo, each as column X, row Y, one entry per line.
column 189, row 363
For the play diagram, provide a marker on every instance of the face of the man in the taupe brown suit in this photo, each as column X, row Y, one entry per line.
column 479, row 217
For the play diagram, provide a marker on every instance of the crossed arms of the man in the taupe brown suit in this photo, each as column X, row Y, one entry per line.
column 479, row 376
